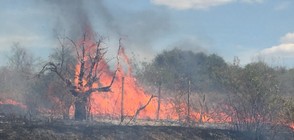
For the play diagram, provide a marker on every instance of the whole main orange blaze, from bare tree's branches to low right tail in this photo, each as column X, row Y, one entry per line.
column 109, row 103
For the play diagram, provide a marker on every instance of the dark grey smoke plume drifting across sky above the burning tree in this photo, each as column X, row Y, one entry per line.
column 140, row 28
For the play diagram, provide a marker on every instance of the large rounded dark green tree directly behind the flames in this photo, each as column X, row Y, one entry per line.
column 176, row 67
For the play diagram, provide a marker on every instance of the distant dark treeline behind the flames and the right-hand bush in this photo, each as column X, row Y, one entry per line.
column 207, row 72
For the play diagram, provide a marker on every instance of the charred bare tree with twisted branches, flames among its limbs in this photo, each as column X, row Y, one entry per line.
column 89, row 64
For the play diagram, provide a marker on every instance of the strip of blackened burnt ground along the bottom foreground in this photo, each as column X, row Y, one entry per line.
column 17, row 128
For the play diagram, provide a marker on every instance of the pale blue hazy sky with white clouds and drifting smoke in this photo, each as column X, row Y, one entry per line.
column 249, row 29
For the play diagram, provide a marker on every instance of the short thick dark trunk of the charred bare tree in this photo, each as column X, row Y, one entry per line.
column 80, row 109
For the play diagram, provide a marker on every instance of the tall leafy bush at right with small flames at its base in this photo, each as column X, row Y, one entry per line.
column 254, row 96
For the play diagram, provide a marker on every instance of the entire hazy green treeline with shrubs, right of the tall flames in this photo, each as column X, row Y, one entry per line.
column 253, row 95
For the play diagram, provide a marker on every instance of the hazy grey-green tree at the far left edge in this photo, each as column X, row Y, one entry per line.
column 18, row 76
